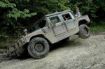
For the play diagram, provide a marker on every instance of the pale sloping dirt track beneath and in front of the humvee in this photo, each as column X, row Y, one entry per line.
column 76, row 54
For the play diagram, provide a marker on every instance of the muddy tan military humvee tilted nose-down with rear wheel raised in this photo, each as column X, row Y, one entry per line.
column 51, row 29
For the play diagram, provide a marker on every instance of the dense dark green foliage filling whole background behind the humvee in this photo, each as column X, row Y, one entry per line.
column 17, row 14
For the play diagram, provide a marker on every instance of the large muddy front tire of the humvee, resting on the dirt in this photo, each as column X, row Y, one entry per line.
column 38, row 47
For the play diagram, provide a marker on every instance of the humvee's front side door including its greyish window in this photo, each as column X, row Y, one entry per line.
column 57, row 25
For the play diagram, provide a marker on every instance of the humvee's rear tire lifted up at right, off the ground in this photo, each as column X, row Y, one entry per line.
column 84, row 31
